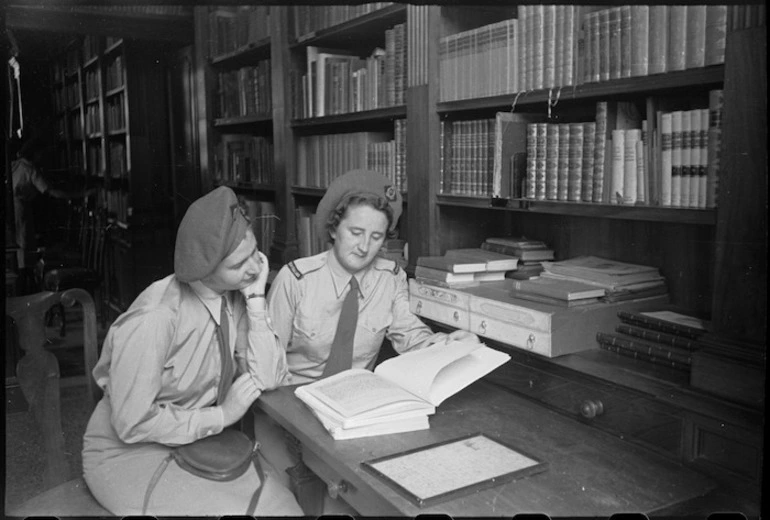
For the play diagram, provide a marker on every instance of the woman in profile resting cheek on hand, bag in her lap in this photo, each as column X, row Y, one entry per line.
column 161, row 370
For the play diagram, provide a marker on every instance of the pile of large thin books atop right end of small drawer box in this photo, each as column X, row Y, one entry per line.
column 620, row 280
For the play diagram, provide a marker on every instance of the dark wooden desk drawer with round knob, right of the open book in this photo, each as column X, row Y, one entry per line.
column 627, row 414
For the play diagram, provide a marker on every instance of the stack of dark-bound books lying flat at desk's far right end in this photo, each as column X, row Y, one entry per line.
column 663, row 338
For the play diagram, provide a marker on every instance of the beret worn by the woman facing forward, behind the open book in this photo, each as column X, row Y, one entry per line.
column 357, row 182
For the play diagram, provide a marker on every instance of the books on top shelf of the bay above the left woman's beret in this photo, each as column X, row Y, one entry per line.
column 236, row 27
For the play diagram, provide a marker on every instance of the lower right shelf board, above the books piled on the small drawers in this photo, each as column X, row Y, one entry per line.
column 706, row 217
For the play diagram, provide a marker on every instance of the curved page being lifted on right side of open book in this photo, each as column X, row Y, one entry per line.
column 415, row 371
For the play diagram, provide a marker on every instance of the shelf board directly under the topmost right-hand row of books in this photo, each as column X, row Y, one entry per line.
column 625, row 87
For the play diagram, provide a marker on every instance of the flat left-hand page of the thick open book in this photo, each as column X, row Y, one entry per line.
column 358, row 391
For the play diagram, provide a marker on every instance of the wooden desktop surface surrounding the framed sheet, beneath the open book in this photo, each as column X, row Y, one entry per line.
column 590, row 472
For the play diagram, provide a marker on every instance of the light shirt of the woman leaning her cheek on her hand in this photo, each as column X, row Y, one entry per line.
column 160, row 365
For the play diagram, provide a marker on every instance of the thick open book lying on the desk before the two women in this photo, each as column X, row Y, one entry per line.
column 401, row 392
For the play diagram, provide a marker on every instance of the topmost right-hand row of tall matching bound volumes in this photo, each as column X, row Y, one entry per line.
column 551, row 46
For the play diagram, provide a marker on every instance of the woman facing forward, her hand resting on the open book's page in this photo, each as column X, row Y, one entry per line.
column 307, row 297
